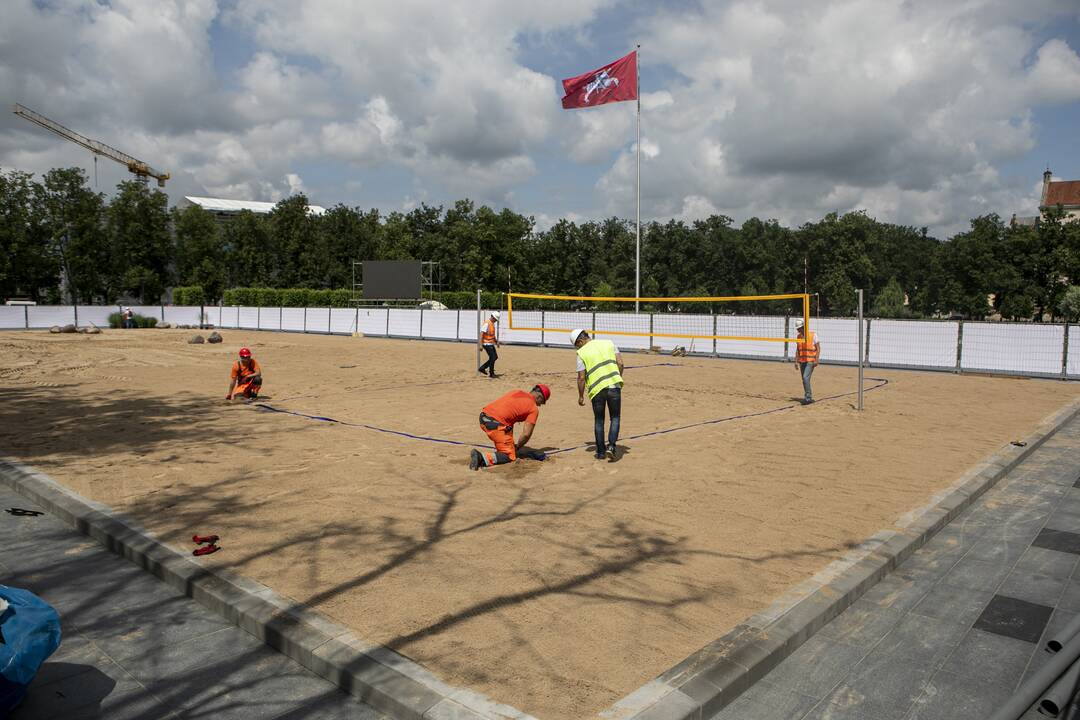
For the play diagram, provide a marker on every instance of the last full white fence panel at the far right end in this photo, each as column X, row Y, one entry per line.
column 1012, row 348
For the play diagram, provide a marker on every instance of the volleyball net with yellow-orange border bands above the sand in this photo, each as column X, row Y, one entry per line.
column 758, row 318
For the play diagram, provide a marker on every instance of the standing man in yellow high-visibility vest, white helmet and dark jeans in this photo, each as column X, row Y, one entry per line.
column 600, row 372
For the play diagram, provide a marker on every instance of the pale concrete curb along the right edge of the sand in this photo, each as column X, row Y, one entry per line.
column 710, row 680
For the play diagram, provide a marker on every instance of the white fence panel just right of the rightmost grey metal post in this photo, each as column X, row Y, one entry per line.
column 921, row 344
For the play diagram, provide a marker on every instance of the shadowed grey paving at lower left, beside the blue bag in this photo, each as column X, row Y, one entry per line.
column 134, row 648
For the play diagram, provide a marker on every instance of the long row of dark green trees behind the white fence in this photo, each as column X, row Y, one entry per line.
column 60, row 241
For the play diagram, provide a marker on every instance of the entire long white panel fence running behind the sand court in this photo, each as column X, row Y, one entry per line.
column 1024, row 349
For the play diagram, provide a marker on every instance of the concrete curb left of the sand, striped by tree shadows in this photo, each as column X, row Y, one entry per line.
column 381, row 677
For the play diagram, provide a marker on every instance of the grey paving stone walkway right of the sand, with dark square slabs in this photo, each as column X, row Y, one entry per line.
column 954, row 631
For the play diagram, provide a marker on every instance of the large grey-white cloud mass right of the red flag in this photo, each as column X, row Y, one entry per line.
column 792, row 111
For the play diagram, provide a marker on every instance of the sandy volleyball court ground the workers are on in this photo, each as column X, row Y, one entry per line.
column 558, row 587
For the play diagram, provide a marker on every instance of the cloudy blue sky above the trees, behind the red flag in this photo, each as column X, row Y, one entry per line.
column 922, row 113
